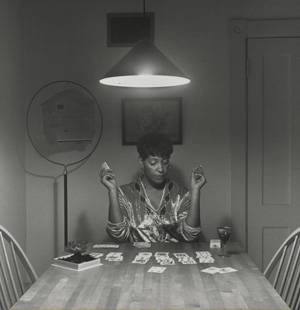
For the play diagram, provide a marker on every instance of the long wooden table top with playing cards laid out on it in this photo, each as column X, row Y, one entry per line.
column 128, row 285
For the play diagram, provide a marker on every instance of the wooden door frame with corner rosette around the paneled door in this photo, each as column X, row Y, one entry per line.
column 240, row 31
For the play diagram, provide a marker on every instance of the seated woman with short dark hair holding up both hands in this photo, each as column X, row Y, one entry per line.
column 153, row 208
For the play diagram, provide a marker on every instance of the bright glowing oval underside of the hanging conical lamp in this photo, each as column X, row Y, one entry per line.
column 145, row 81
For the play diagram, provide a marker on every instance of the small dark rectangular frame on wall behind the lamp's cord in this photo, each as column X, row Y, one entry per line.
column 126, row 29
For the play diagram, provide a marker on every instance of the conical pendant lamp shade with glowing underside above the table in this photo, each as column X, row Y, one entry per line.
column 144, row 66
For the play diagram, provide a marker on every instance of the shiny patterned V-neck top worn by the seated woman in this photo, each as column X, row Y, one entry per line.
column 142, row 222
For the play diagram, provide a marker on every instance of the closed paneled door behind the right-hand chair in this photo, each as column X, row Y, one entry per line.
column 273, row 144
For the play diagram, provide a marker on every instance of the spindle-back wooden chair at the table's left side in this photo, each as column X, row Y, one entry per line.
column 16, row 272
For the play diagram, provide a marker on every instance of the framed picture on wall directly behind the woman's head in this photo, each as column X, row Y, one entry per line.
column 144, row 115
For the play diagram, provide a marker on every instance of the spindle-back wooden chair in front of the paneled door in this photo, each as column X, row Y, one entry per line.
column 284, row 270
